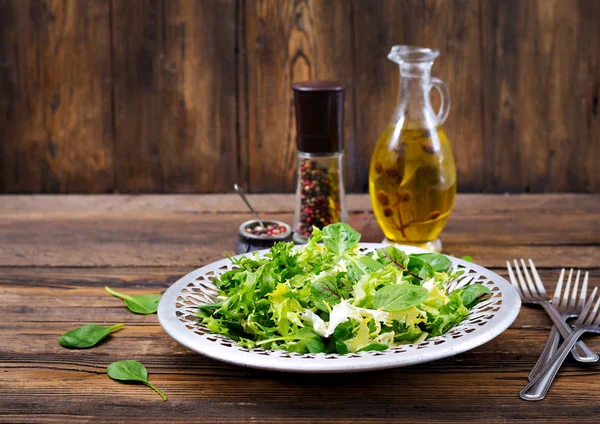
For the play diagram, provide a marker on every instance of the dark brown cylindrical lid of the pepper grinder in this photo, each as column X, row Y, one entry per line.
column 319, row 116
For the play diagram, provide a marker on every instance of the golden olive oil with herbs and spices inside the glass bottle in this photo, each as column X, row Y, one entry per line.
column 412, row 183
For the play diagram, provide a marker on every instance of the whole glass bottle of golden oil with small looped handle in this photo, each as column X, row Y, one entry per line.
column 412, row 176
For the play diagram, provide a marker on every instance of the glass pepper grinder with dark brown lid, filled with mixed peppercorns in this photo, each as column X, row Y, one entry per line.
column 320, row 197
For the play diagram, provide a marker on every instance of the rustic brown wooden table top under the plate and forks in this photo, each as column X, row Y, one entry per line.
column 58, row 252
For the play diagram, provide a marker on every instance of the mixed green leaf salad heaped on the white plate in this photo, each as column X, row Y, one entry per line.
column 327, row 296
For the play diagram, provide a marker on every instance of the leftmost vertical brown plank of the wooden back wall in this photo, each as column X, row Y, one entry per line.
column 55, row 102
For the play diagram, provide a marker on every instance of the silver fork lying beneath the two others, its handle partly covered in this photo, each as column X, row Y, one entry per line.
column 568, row 308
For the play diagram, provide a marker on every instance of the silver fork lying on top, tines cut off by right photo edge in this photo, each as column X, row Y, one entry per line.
column 588, row 322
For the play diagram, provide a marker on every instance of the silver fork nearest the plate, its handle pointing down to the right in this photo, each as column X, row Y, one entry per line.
column 536, row 294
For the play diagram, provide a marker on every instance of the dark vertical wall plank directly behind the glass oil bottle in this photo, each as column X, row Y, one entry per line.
column 453, row 28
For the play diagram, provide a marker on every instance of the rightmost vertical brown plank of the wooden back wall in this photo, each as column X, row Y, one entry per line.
column 540, row 106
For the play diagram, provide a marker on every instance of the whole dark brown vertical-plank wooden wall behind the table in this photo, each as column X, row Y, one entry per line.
column 191, row 96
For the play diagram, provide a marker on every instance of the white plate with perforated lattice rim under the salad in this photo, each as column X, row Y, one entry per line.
column 484, row 322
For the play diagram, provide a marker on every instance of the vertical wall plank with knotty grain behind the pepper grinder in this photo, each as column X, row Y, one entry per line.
column 287, row 42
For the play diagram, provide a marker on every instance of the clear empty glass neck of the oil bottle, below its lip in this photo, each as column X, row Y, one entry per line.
column 414, row 104
